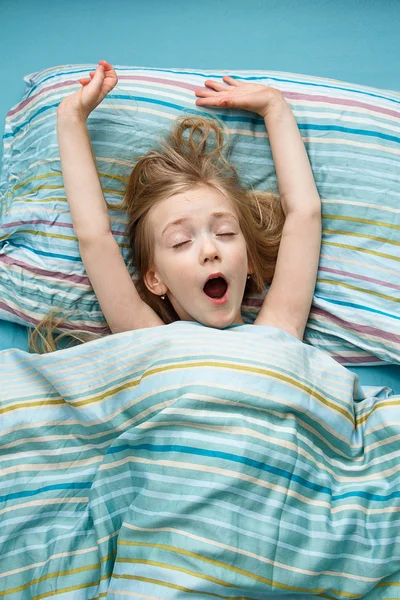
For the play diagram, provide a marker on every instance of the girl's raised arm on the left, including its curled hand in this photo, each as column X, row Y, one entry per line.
column 119, row 300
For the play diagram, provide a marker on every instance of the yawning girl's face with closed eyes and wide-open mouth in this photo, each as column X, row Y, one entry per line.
column 197, row 234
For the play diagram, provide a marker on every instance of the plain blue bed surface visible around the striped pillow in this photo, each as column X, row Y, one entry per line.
column 356, row 41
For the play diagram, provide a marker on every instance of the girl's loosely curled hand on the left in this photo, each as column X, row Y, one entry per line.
column 93, row 91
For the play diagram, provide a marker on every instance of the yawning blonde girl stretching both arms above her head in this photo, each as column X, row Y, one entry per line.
column 196, row 237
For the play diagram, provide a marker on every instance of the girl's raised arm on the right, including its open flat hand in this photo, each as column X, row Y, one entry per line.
column 288, row 302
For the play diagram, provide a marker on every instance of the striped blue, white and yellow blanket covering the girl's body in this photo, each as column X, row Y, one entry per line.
column 187, row 462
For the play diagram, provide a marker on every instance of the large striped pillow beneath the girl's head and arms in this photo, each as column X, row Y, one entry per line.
column 352, row 136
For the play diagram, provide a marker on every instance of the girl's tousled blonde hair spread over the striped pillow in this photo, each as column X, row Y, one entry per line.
column 185, row 161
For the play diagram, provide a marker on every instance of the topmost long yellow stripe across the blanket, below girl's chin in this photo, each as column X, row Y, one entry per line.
column 264, row 372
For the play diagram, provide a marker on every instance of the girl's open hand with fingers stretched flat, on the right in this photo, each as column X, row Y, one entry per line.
column 238, row 94
